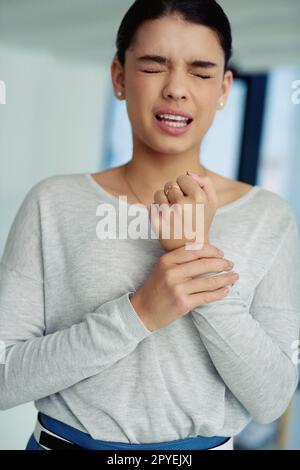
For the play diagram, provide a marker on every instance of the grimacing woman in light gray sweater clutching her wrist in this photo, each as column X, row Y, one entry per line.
column 131, row 343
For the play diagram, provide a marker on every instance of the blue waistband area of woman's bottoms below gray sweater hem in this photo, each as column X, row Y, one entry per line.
column 87, row 442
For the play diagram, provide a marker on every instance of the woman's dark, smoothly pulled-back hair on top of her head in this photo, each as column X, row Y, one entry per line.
column 204, row 12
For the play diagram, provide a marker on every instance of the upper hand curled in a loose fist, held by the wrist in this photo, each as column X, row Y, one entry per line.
column 186, row 193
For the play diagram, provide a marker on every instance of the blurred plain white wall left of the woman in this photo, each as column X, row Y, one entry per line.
column 52, row 123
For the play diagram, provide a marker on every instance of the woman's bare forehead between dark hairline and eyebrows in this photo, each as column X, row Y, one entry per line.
column 172, row 36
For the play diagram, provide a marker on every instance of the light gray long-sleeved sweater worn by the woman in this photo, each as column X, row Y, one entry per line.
column 76, row 346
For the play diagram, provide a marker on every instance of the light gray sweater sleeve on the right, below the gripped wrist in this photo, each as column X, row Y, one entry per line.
column 254, row 352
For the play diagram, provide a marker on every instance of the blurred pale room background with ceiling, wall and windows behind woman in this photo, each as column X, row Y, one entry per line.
column 58, row 115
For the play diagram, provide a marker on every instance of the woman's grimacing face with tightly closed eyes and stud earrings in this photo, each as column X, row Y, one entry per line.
column 176, row 83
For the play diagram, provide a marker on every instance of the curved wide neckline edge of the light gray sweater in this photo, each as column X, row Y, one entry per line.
column 227, row 207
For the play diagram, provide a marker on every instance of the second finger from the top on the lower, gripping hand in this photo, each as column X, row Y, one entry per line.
column 202, row 266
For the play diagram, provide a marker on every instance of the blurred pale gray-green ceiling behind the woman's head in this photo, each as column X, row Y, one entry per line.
column 266, row 33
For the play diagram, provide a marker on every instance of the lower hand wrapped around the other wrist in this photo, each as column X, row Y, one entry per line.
column 171, row 291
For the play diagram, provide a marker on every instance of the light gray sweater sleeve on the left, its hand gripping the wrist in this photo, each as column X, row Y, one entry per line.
column 34, row 365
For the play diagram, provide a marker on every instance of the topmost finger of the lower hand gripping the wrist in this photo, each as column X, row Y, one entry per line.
column 182, row 255
